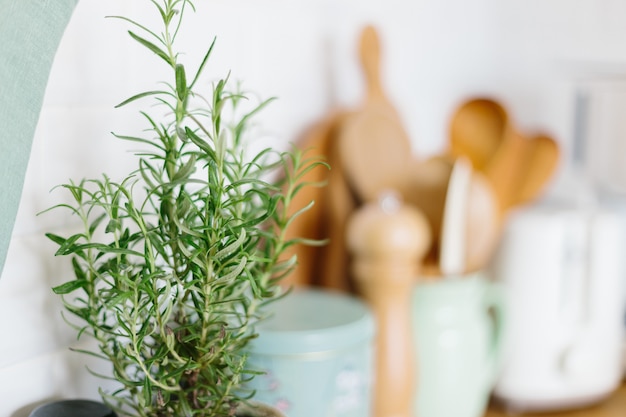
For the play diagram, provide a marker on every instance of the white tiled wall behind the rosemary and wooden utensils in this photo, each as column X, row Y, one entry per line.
column 528, row 53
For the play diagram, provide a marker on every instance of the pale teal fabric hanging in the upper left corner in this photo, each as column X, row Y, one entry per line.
column 30, row 31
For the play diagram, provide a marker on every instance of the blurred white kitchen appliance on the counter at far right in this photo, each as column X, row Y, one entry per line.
column 561, row 263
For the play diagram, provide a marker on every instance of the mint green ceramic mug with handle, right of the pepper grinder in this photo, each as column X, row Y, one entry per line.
column 458, row 326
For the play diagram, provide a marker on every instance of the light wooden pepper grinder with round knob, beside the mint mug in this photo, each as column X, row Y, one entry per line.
column 388, row 240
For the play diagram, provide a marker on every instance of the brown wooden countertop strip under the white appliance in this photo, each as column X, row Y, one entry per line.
column 613, row 406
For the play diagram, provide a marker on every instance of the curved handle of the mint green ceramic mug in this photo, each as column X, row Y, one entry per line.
column 495, row 309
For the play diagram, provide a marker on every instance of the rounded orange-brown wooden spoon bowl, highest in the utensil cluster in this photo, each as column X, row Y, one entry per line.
column 477, row 130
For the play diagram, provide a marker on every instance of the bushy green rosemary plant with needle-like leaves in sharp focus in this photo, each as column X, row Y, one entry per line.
column 175, row 261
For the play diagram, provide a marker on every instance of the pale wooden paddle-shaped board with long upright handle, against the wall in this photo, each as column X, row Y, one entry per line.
column 374, row 147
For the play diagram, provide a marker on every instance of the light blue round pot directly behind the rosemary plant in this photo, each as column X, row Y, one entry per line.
column 317, row 352
